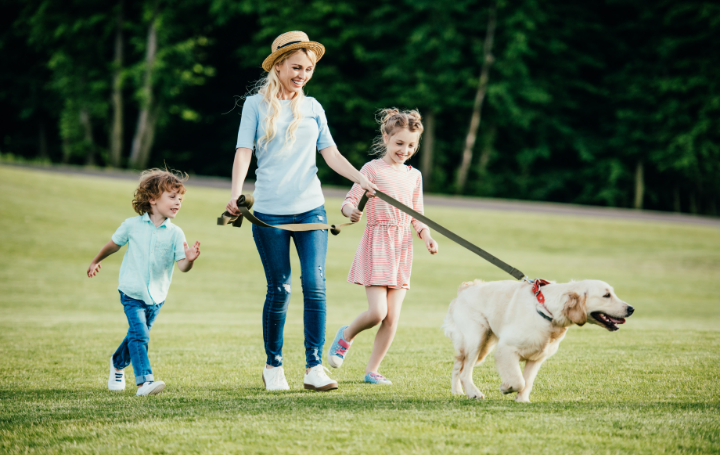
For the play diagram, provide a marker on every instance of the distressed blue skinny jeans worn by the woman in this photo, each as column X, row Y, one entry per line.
column 274, row 248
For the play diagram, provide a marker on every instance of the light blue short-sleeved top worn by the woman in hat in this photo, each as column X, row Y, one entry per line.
column 286, row 177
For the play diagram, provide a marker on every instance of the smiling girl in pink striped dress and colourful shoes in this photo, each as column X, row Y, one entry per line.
column 384, row 257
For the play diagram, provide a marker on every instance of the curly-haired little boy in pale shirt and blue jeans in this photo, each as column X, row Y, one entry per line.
column 155, row 244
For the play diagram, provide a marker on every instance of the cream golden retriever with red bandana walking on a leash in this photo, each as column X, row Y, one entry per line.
column 524, row 326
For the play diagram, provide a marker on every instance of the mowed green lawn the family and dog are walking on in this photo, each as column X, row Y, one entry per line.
column 652, row 387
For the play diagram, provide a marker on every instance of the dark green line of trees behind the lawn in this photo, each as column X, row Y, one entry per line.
column 603, row 102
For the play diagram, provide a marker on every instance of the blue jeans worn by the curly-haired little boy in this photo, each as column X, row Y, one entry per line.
column 134, row 347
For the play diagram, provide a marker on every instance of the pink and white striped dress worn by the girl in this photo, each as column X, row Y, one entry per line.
column 384, row 256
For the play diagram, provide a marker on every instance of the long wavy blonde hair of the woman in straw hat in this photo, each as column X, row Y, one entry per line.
column 269, row 87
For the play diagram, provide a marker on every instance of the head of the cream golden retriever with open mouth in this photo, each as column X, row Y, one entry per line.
column 595, row 302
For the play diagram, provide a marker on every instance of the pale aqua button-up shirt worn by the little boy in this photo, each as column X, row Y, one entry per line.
column 147, row 267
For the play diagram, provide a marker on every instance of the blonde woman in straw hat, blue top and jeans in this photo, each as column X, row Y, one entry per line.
column 285, row 128
